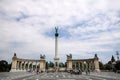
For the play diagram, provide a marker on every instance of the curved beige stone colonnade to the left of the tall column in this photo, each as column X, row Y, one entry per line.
column 19, row 64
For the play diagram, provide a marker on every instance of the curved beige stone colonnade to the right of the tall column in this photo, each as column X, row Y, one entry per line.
column 83, row 64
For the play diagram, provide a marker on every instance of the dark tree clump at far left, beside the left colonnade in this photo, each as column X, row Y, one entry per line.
column 4, row 66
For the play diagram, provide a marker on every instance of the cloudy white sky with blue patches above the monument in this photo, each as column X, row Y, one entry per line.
column 86, row 27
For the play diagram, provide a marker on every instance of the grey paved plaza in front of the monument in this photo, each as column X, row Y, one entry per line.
column 59, row 76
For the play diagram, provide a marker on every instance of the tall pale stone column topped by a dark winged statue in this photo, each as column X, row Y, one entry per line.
column 56, row 59
